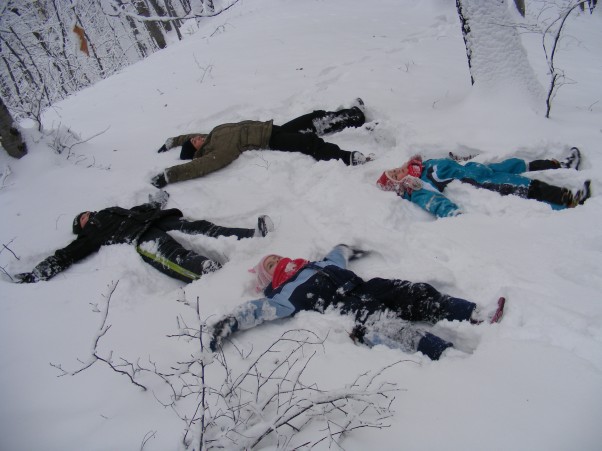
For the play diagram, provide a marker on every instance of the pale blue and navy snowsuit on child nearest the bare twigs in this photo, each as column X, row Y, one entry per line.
column 327, row 283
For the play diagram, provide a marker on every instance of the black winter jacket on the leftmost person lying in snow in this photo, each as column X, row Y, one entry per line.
column 113, row 225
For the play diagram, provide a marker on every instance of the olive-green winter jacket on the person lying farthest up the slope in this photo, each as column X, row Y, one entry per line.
column 223, row 145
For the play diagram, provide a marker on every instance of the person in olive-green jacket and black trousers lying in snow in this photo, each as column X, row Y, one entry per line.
column 225, row 142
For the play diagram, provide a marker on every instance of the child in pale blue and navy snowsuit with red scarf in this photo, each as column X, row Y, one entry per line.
column 290, row 286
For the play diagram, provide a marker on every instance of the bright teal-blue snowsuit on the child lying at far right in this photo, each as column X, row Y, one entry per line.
column 502, row 177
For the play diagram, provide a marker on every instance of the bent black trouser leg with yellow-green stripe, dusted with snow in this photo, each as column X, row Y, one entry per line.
column 164, row 253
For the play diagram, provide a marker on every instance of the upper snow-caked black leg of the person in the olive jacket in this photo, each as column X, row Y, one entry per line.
column 322, row 122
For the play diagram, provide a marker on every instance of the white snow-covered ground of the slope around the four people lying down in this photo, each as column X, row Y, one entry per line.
column 533, row 382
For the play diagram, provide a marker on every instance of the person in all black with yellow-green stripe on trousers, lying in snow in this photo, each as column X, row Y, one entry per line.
column 145, row 226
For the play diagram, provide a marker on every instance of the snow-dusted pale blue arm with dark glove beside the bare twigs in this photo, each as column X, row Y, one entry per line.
column 249, row 315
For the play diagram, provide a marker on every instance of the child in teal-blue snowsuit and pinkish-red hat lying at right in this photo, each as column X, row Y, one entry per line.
column 423, row 182
